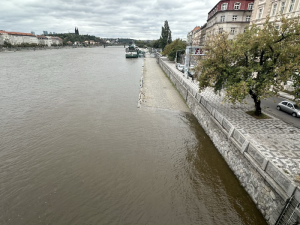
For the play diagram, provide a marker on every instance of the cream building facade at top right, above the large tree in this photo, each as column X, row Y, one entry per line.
column 274, row 9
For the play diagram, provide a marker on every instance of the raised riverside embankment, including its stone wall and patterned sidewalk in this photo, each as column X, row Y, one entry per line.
column 263, row 154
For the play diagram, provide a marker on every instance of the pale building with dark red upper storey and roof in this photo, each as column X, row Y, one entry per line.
column 231, row 16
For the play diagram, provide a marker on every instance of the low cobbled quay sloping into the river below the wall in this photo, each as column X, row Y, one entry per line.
column 158, row 91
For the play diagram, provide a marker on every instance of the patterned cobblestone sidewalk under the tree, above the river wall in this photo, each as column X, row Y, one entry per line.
column 276, row 140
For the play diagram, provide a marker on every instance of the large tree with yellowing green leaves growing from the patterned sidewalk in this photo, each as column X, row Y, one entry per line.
column 258, row 62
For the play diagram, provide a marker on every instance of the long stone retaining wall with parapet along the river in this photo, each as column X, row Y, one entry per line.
column 268, row 187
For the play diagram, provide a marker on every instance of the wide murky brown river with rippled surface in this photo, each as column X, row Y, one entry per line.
column 75, row 149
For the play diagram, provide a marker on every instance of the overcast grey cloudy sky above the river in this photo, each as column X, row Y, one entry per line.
column 138, row 19
